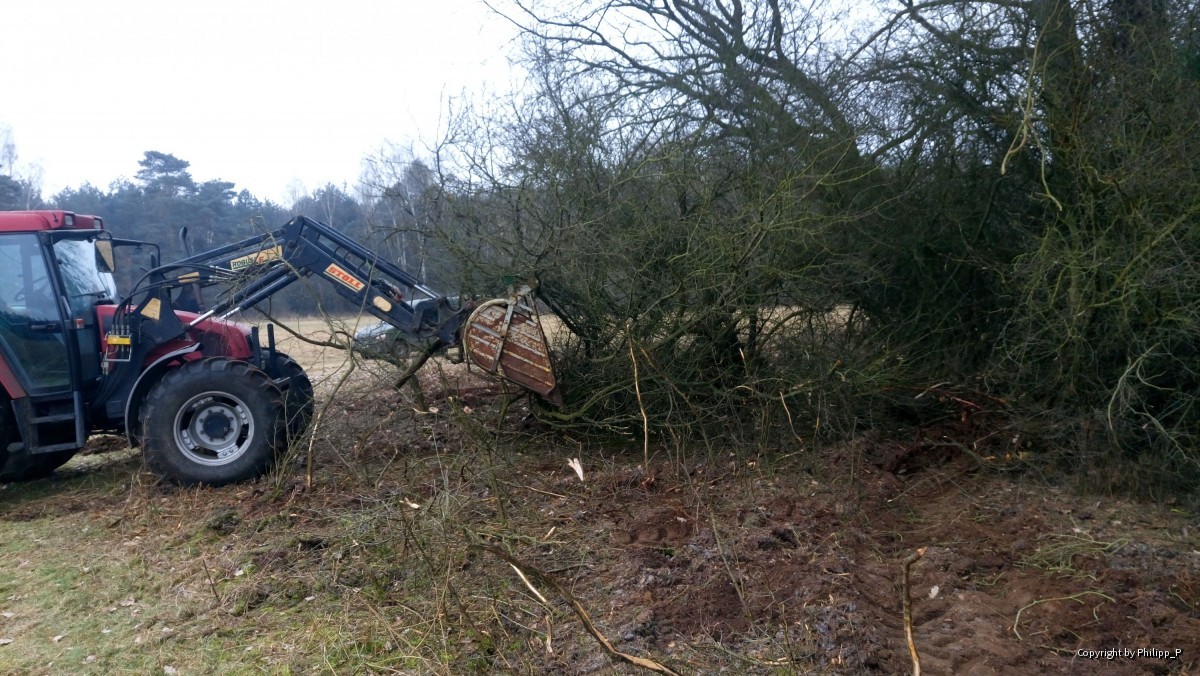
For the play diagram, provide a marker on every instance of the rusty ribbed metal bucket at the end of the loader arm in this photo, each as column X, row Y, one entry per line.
column 505, row 338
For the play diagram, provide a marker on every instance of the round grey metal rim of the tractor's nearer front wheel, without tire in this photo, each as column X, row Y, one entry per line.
column 214, row 429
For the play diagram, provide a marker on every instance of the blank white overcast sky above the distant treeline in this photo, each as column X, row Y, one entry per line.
column 261, row 93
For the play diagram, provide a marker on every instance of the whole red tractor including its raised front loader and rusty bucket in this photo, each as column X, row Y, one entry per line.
column 202, row 396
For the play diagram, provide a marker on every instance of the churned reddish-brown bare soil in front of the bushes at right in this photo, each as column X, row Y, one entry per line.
column 1004, row 578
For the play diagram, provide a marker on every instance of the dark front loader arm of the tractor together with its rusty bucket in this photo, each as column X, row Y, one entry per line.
column 507, row 342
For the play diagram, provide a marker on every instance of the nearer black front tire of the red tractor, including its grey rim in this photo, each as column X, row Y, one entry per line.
column 213, row 422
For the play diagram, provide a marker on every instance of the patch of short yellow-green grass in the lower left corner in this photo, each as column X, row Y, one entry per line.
column 164, row 589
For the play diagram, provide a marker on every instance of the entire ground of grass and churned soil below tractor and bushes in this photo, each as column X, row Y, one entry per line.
column 400, row 553
